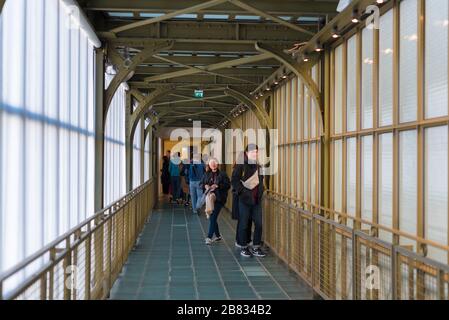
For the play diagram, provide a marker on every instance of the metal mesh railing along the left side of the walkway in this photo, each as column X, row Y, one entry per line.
column 84, row 263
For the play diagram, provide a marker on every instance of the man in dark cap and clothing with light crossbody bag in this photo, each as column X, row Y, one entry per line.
column 250, row 201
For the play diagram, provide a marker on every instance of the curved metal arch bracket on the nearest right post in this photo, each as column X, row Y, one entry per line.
column 299, row 70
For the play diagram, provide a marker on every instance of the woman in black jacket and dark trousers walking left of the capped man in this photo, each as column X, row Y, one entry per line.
column 218, row 182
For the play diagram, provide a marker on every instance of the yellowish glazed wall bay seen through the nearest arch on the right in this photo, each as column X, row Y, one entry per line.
column 296, row 117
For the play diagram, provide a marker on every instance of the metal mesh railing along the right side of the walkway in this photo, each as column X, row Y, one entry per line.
column 315, row 255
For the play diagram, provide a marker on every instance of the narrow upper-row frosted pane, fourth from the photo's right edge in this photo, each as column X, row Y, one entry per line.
column 367, row 77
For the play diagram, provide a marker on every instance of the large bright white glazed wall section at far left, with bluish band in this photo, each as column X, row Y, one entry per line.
column 46, row 126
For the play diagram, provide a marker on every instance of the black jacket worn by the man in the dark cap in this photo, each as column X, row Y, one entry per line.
column 241, row 173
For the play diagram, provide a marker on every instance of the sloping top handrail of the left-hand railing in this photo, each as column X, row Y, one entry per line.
column 76, row 233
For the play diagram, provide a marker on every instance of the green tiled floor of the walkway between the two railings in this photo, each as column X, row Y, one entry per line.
column 171, row 261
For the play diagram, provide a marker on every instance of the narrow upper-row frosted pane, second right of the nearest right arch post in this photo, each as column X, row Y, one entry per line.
column 351, row 95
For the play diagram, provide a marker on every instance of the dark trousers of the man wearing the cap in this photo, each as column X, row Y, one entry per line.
column 246, row 214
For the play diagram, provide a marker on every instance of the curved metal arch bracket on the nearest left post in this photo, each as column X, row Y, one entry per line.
column 125, row 72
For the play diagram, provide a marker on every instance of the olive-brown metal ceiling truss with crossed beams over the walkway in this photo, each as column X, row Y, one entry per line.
column 168, row 57
